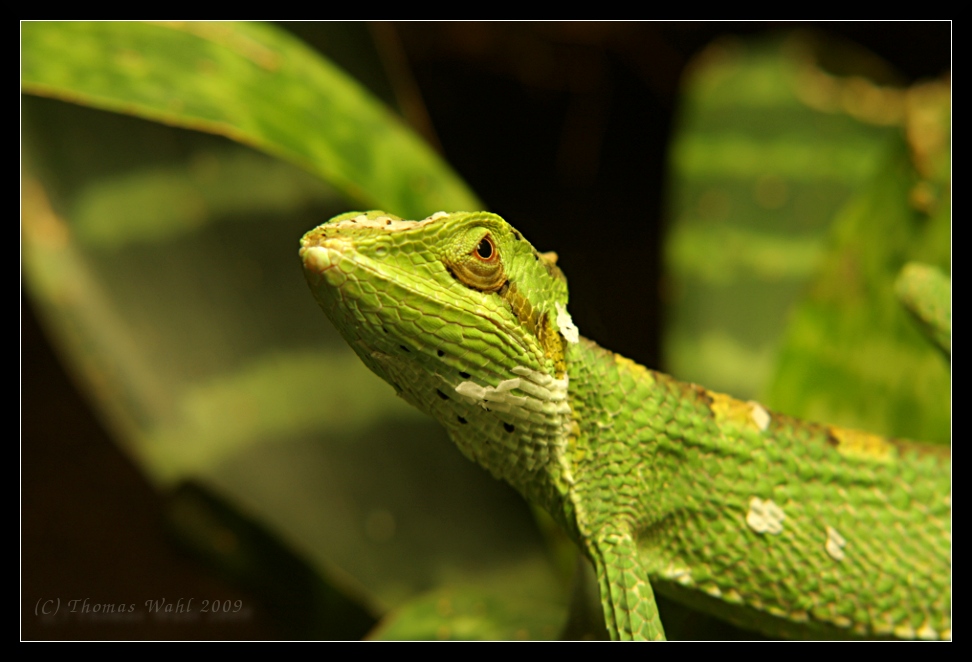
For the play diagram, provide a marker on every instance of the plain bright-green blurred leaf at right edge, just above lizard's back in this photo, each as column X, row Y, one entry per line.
column 851, row 355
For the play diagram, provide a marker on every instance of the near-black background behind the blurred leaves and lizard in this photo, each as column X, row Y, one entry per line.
column 561, row 128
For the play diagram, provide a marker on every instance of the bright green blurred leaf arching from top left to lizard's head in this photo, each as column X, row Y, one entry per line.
column 250, row 82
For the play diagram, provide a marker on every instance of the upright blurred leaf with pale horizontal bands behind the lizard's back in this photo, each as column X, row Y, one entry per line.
column 767, row 149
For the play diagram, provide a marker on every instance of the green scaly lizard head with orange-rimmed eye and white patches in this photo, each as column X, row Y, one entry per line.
column 460, row 314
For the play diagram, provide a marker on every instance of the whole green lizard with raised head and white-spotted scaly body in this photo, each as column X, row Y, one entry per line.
column 793, row 528
